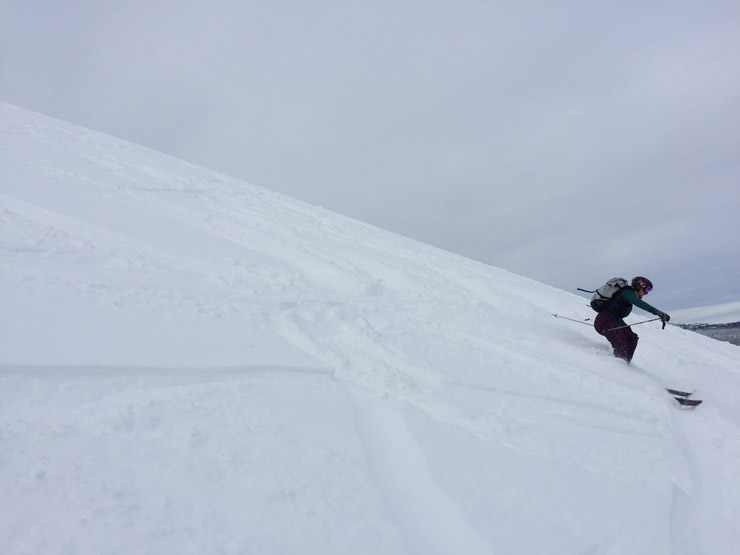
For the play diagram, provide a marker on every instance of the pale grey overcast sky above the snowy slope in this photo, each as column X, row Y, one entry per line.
column 569, row 142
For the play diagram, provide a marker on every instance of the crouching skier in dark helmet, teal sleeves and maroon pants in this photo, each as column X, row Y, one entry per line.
column 610, row 320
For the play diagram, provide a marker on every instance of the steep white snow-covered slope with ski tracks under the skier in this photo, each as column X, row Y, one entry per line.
column 190, row 364
